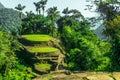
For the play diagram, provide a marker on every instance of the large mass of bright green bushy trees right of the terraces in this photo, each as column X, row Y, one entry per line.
column 85, row 50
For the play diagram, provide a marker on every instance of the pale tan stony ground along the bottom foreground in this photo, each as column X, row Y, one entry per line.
column 80, row 76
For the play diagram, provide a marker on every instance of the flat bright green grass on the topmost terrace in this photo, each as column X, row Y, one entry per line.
column 37, row 37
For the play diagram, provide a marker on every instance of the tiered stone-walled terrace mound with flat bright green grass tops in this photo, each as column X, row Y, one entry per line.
column 46, row 57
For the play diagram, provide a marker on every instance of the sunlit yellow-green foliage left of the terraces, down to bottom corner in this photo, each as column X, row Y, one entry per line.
column 10, row 66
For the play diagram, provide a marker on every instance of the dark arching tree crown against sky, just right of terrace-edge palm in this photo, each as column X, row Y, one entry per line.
column 70, row 18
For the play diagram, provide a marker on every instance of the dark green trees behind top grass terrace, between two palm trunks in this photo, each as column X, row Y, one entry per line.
column 36, row 24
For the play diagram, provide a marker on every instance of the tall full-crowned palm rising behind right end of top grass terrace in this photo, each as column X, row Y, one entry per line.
column 54, row 15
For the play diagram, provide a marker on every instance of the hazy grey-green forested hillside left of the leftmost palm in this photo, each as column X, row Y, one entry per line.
column 9, row 20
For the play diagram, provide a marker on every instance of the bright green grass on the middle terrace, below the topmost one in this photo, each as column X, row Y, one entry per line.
column 42, row 49
